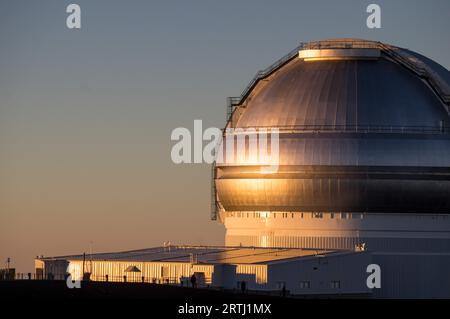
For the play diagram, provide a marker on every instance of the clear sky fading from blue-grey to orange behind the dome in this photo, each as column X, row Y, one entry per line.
column 86, row 115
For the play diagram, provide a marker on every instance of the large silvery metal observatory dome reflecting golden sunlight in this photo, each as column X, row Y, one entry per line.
column 364, row 127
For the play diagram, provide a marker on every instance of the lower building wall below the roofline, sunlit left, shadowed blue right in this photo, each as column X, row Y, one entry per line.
column 403, row 274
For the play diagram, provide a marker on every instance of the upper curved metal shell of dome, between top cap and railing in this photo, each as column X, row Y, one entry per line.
column 356, row 92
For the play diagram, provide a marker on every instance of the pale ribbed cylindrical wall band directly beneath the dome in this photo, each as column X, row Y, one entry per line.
column 385, row 232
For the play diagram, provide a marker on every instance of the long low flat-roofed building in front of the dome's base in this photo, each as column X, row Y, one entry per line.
column 315, row 272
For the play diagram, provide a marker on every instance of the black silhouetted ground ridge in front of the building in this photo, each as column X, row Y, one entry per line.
column 167, row 301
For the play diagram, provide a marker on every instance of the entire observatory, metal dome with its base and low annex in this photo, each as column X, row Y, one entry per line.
column 363, row 178
